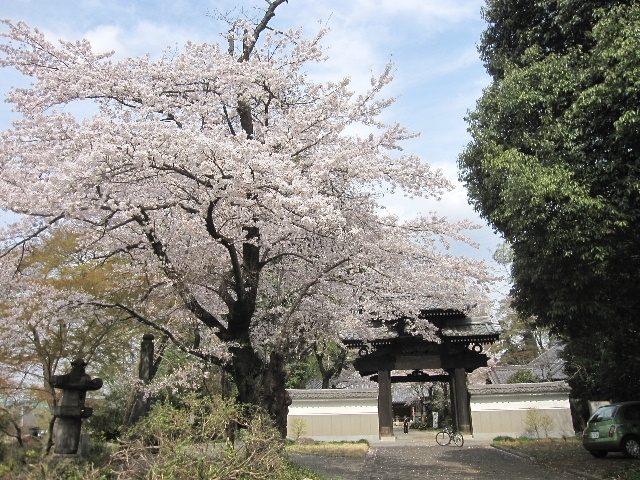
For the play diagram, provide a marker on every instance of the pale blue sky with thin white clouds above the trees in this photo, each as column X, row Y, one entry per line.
column 432, row 43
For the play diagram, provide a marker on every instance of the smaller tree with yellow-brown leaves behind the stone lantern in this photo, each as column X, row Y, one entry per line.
column 48, row 318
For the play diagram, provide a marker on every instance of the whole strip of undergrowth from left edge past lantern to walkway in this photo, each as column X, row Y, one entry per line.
column 189, row 437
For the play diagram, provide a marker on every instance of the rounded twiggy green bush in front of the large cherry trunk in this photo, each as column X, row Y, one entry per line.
column 208, row 438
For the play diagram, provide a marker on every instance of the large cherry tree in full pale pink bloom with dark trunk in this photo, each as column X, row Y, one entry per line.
column 250, row 193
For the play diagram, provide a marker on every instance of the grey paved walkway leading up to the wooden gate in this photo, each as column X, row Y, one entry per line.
column 417, row 456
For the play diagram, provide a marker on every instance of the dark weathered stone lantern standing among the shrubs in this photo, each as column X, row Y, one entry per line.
column 71, row 411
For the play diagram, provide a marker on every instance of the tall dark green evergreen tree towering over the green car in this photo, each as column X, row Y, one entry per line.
column 554, row 166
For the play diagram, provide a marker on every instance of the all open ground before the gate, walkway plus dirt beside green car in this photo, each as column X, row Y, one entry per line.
column 417, row 456
